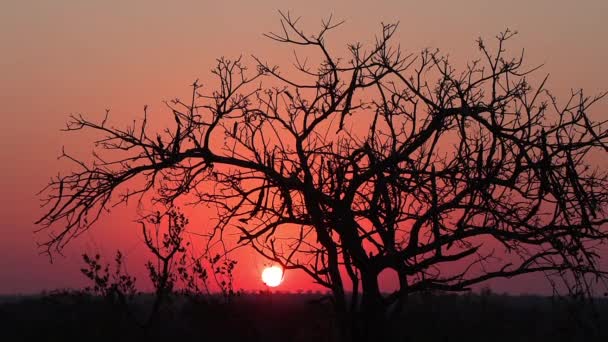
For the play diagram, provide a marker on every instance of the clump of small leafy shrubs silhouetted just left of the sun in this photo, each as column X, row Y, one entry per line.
column 174, row 272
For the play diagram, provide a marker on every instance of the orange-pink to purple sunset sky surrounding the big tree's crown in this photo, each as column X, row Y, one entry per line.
column 69, row 56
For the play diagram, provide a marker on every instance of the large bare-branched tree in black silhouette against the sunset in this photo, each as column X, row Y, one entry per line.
column 381, row 160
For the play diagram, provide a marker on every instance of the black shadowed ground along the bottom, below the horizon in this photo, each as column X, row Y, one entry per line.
column 70, row 316
